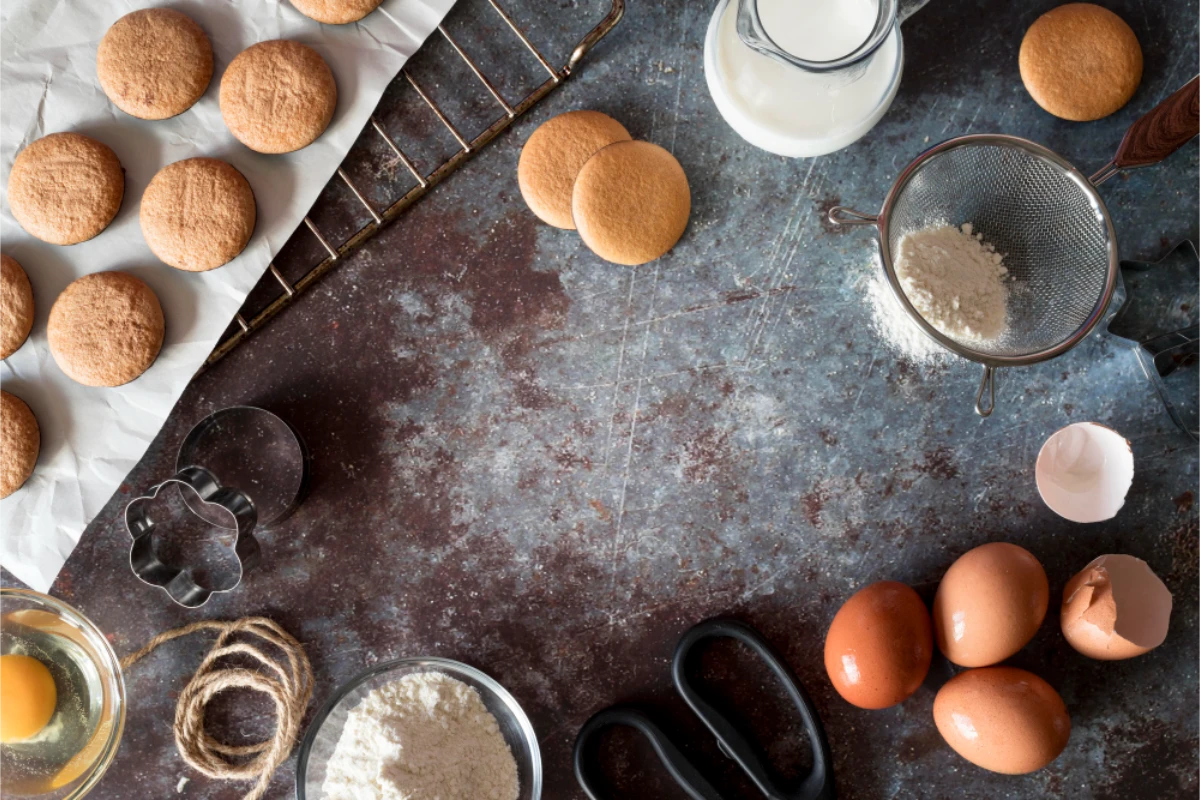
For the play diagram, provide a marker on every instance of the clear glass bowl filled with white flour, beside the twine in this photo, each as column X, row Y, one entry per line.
column 421, row 730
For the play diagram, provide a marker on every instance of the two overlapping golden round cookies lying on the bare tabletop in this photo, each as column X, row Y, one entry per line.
column 629, row 200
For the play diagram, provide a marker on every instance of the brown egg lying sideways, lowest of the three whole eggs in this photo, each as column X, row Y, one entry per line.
column 1003, row 719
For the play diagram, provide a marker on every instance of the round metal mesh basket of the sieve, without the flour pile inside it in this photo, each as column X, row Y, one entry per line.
column 1053, row 232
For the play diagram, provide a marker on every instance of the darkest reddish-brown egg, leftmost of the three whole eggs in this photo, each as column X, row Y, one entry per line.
column 879, row 646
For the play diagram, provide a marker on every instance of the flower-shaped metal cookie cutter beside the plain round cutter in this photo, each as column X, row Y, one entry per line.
column 179, row 582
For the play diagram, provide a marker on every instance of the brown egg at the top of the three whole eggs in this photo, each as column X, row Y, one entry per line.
column 989, row 605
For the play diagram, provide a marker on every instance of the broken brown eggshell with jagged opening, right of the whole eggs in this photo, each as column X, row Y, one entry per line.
column 1115, row 609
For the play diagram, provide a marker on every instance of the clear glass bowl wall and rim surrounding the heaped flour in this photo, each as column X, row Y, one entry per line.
column 327, row 727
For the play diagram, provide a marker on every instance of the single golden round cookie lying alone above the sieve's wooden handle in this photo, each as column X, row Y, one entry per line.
column 1081, row 62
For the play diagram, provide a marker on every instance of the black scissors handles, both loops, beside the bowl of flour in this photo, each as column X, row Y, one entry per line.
column 818, row 785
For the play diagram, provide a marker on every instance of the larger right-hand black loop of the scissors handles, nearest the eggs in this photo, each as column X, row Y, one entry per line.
column 819, row 784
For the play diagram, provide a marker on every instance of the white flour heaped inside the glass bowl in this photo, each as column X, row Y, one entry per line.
column 425, row 737
